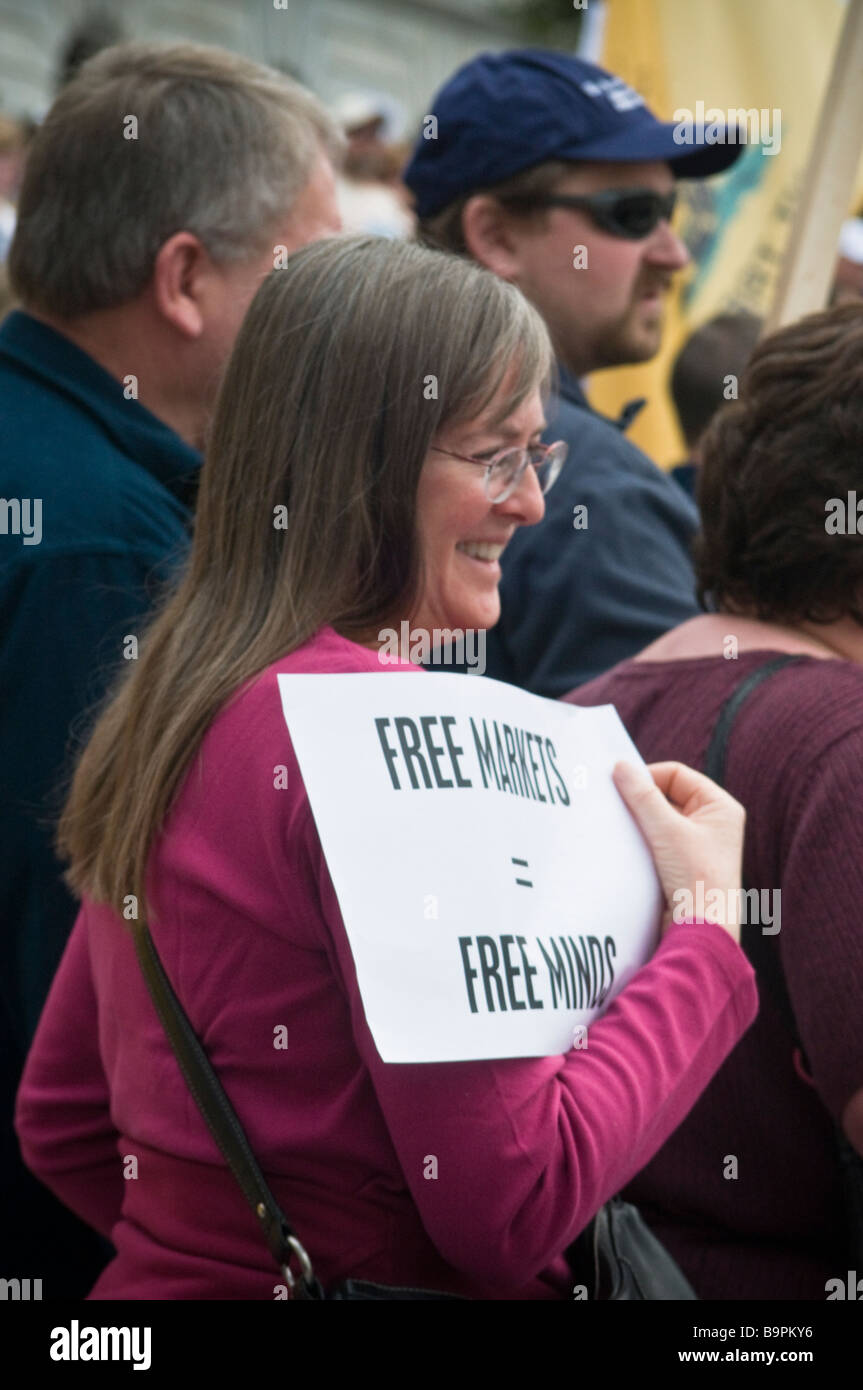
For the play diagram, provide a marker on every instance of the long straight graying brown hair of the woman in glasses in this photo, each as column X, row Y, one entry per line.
column 348, row 365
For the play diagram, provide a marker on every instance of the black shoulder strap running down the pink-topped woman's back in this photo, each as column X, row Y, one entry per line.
column 222, row 1118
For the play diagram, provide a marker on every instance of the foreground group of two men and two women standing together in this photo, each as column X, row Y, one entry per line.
column 197, row 345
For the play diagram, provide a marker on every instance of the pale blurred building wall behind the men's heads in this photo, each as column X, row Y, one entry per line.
column 397, row 49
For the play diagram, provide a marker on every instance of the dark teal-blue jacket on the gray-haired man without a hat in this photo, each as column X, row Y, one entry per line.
column 115, row 487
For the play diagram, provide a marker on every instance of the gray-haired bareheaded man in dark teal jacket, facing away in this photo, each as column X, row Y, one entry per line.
column 166, row 183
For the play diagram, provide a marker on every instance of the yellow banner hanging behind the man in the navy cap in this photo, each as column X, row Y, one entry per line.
column 764, row 56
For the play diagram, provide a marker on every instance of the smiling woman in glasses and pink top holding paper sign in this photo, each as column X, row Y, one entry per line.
column 323, row 412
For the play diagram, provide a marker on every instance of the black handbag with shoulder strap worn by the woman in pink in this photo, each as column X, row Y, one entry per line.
column 615, row 1259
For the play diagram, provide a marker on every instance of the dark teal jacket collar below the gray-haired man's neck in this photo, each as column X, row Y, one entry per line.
column 72, row 372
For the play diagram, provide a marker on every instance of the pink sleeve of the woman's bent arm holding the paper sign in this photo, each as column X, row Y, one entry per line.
column 529, row 1150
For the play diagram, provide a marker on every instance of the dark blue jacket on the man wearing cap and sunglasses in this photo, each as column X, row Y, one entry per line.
column 575, row 603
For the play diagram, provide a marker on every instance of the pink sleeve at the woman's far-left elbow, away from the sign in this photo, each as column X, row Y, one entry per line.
column 63, row 1111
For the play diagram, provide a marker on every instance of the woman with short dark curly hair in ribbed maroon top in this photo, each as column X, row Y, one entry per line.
column 747, row 1193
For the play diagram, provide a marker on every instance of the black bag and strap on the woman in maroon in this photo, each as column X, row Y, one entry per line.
column 765, row 958
